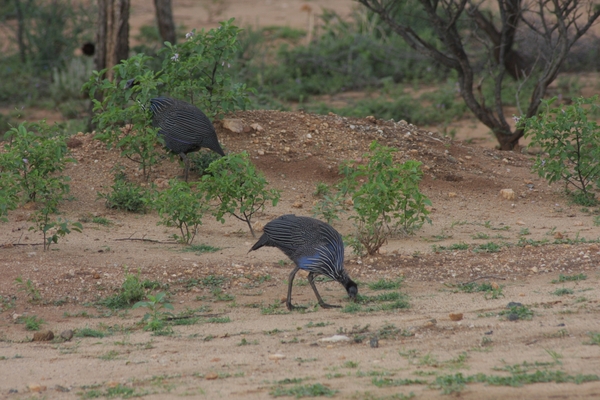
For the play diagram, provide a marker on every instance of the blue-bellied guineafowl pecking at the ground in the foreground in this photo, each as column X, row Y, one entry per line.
column 313, row 246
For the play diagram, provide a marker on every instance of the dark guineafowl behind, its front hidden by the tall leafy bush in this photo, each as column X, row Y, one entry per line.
column 183, row 126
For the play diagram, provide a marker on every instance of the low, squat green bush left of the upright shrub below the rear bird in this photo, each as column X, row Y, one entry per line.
column 126, row 195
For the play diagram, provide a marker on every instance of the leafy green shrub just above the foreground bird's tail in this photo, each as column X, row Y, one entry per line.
column 238, row 187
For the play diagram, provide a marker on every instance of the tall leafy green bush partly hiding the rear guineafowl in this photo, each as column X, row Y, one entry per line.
column 196, row 70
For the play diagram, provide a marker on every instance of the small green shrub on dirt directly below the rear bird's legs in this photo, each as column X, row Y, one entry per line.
column 181, row 207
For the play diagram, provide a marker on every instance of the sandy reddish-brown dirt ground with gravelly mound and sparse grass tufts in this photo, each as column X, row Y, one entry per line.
column 244, row 344
